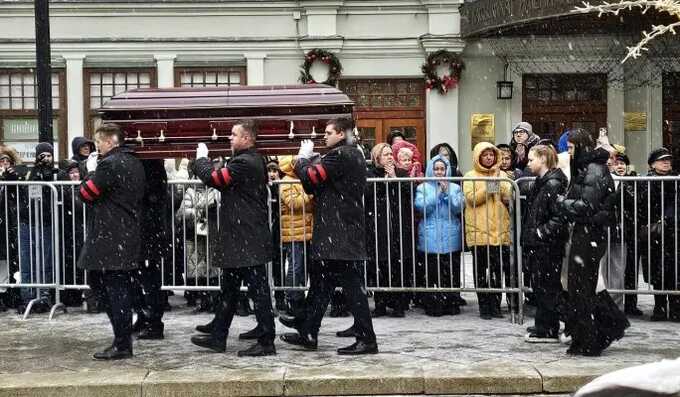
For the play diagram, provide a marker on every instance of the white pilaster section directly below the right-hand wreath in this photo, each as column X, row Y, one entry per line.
column 442, row 119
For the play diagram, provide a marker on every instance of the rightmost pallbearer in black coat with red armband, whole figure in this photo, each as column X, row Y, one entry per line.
column 338, row 241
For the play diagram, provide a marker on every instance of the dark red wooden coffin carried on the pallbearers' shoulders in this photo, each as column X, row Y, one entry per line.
column 169, row 123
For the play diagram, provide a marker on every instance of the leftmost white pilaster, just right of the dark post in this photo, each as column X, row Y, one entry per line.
column 75, row 114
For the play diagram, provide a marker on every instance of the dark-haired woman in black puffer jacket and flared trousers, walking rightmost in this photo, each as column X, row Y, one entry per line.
column 593, row 320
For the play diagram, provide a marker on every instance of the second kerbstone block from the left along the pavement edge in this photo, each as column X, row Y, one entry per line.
column 230, row 382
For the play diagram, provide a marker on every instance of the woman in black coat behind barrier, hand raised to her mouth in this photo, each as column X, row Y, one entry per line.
column 386, row 244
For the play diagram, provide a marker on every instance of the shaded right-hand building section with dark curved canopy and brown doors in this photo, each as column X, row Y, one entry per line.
column 567, row 72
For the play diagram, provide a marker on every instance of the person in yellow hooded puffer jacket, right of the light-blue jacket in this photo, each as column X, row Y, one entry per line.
column 487, row 225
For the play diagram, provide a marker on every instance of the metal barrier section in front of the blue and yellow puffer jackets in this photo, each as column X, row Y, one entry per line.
column 400, row 260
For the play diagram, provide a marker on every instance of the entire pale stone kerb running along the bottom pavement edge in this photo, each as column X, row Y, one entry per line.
column 363, row 377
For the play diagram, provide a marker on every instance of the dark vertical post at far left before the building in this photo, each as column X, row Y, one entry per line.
column 43, row 60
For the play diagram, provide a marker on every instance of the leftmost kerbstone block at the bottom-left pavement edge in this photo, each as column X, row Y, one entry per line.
column 114, row 383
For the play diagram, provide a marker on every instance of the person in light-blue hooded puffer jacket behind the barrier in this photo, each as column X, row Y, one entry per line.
column 440, row 236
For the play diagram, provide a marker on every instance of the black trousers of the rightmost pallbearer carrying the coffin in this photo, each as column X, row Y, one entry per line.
column 348, row 275
